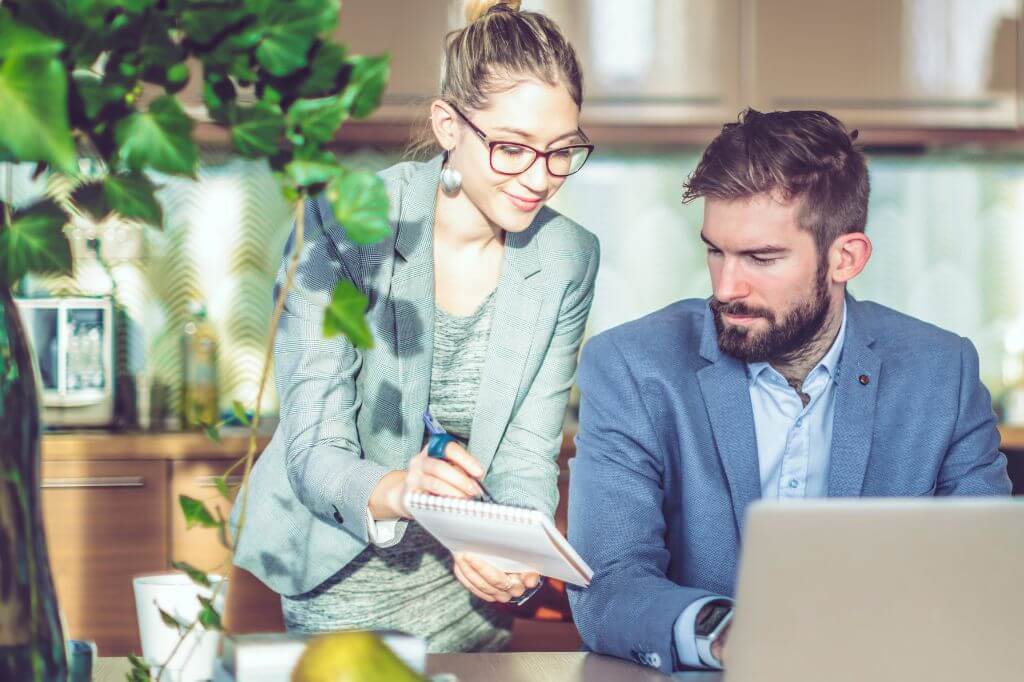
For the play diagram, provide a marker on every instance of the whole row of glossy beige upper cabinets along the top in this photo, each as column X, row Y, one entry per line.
column 650, row 64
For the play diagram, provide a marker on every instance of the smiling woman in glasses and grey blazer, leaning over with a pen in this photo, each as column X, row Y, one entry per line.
column 478, row 306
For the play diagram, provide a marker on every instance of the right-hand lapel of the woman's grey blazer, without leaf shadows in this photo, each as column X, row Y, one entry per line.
column 518, row 306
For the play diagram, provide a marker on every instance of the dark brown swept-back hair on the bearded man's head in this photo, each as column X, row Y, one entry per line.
column 809, row 156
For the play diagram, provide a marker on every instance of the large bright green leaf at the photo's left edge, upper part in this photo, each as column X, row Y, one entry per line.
column 34, row 103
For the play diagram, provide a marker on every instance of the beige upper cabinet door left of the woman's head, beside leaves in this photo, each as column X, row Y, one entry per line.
column 413, row 33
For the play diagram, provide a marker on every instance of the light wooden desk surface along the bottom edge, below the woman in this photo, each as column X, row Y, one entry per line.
column 541, row 667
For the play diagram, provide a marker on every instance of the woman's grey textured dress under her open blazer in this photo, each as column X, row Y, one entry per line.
column 410, row 586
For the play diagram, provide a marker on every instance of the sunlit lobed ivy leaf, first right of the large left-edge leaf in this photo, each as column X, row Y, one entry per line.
column 160, row 139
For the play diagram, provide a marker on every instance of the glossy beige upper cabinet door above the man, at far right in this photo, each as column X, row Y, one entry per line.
column 887, row 63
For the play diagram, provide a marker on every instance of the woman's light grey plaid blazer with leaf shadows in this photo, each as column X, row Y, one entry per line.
column 349, row 417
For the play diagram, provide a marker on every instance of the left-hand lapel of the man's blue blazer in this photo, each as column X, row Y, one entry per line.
column 726, row 389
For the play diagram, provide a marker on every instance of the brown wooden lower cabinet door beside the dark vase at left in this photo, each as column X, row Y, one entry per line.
column 106, row 523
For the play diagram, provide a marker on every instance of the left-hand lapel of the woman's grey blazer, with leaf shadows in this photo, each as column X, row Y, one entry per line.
column 413, row 297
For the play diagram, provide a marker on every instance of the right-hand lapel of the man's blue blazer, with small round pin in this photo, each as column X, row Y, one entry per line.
column 857, row 396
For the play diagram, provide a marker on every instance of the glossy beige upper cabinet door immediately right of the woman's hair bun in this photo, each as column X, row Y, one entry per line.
column 654, row 62
